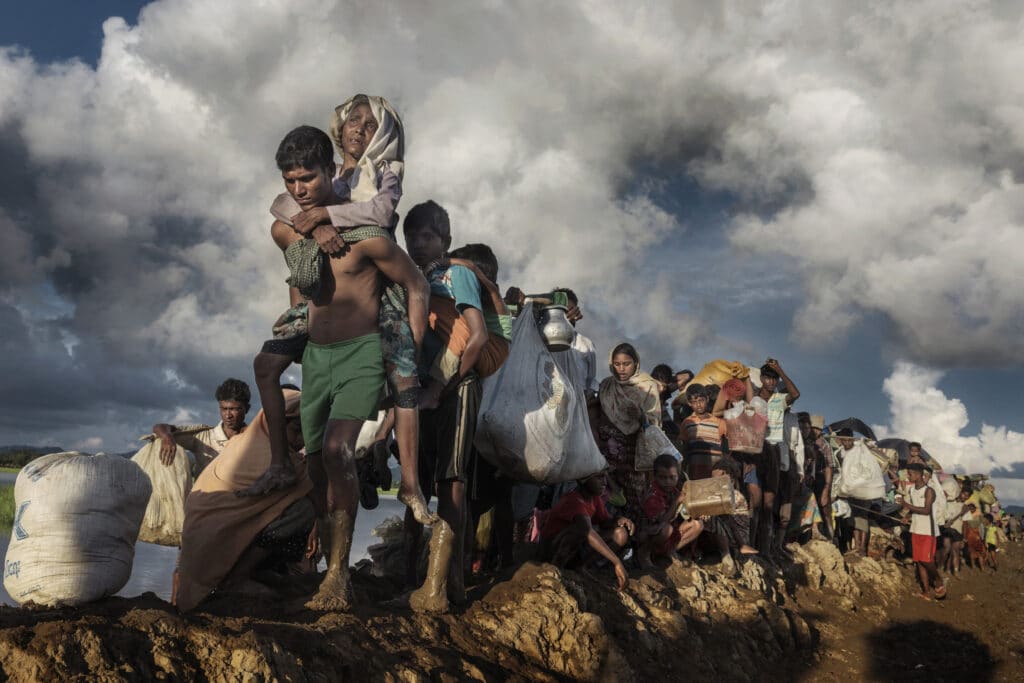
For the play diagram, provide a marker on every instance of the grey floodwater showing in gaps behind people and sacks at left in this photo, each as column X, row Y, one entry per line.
column 154, row 565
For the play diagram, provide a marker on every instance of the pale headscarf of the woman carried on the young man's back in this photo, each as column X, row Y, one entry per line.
column 388, row 146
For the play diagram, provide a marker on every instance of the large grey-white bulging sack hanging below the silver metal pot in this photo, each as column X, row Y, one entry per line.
column 533, row 424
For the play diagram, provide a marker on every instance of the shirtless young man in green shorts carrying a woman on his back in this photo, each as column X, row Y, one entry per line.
column 344, row 371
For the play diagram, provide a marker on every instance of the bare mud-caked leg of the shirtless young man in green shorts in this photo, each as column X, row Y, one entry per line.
column 336, row 527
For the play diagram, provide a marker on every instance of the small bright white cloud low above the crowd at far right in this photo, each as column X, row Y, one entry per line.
column 922, row 412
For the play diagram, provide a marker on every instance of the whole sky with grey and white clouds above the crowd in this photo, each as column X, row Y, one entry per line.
column 839, row 186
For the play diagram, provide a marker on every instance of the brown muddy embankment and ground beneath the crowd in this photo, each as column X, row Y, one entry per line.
column 819, row 619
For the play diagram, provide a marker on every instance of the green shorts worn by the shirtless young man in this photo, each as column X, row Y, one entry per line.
column 340, row 381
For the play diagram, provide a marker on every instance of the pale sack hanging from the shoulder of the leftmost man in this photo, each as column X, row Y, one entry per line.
column 166, row 513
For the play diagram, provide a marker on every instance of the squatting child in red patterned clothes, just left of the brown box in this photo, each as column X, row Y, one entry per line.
column 663, row 533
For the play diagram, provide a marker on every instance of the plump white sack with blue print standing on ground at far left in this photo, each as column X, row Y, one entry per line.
column 76, row 522
